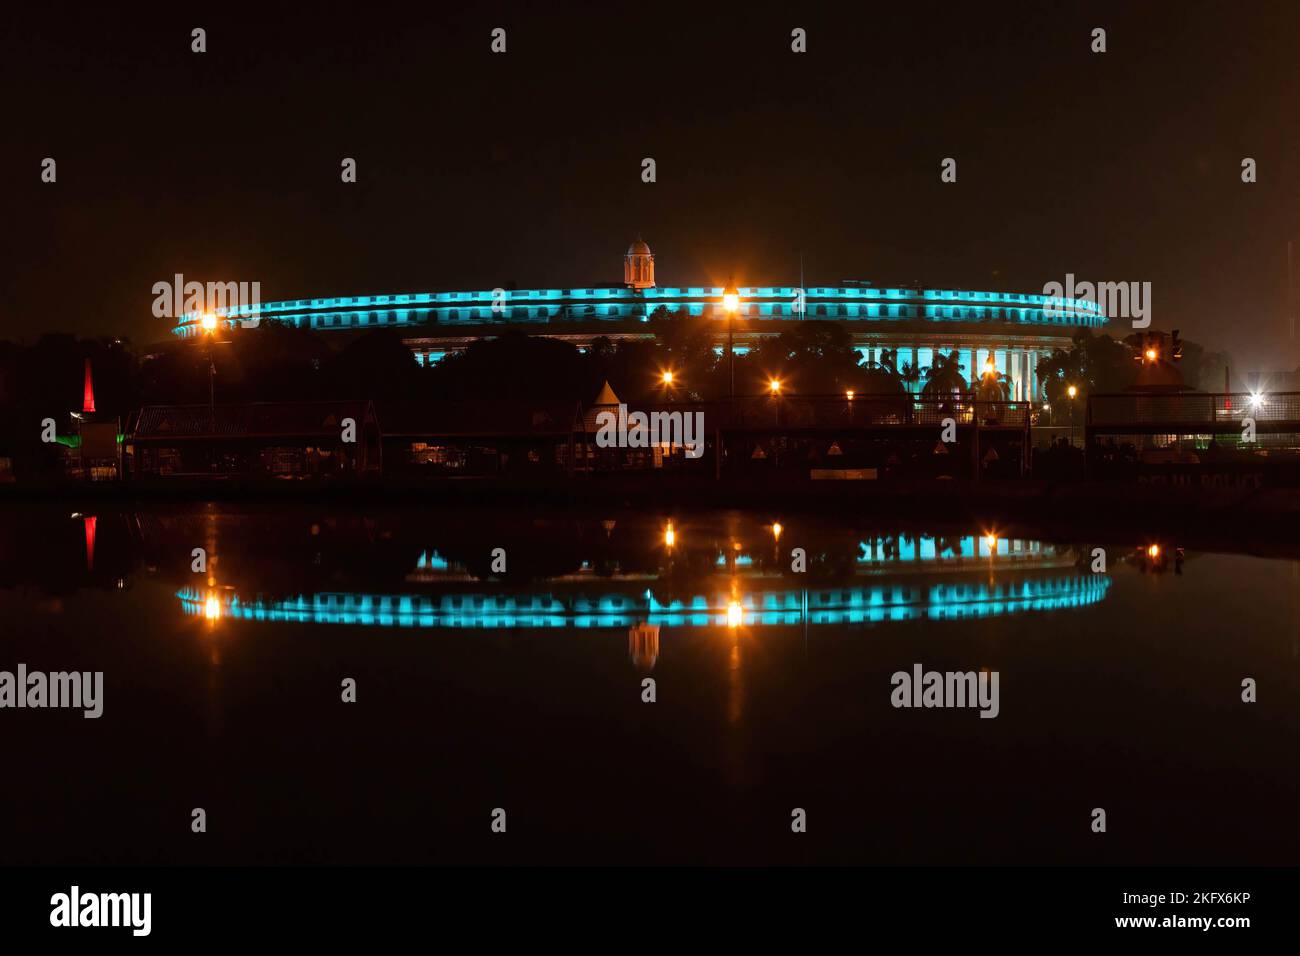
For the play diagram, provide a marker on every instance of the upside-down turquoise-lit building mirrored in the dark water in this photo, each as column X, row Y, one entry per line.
column 892, row 579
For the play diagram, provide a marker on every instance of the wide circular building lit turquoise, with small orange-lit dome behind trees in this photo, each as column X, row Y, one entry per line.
column 1012, row 331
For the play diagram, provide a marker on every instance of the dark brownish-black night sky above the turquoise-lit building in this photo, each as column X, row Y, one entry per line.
column 476, row 171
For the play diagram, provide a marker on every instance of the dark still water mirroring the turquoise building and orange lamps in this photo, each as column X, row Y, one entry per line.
column 523, row 690
